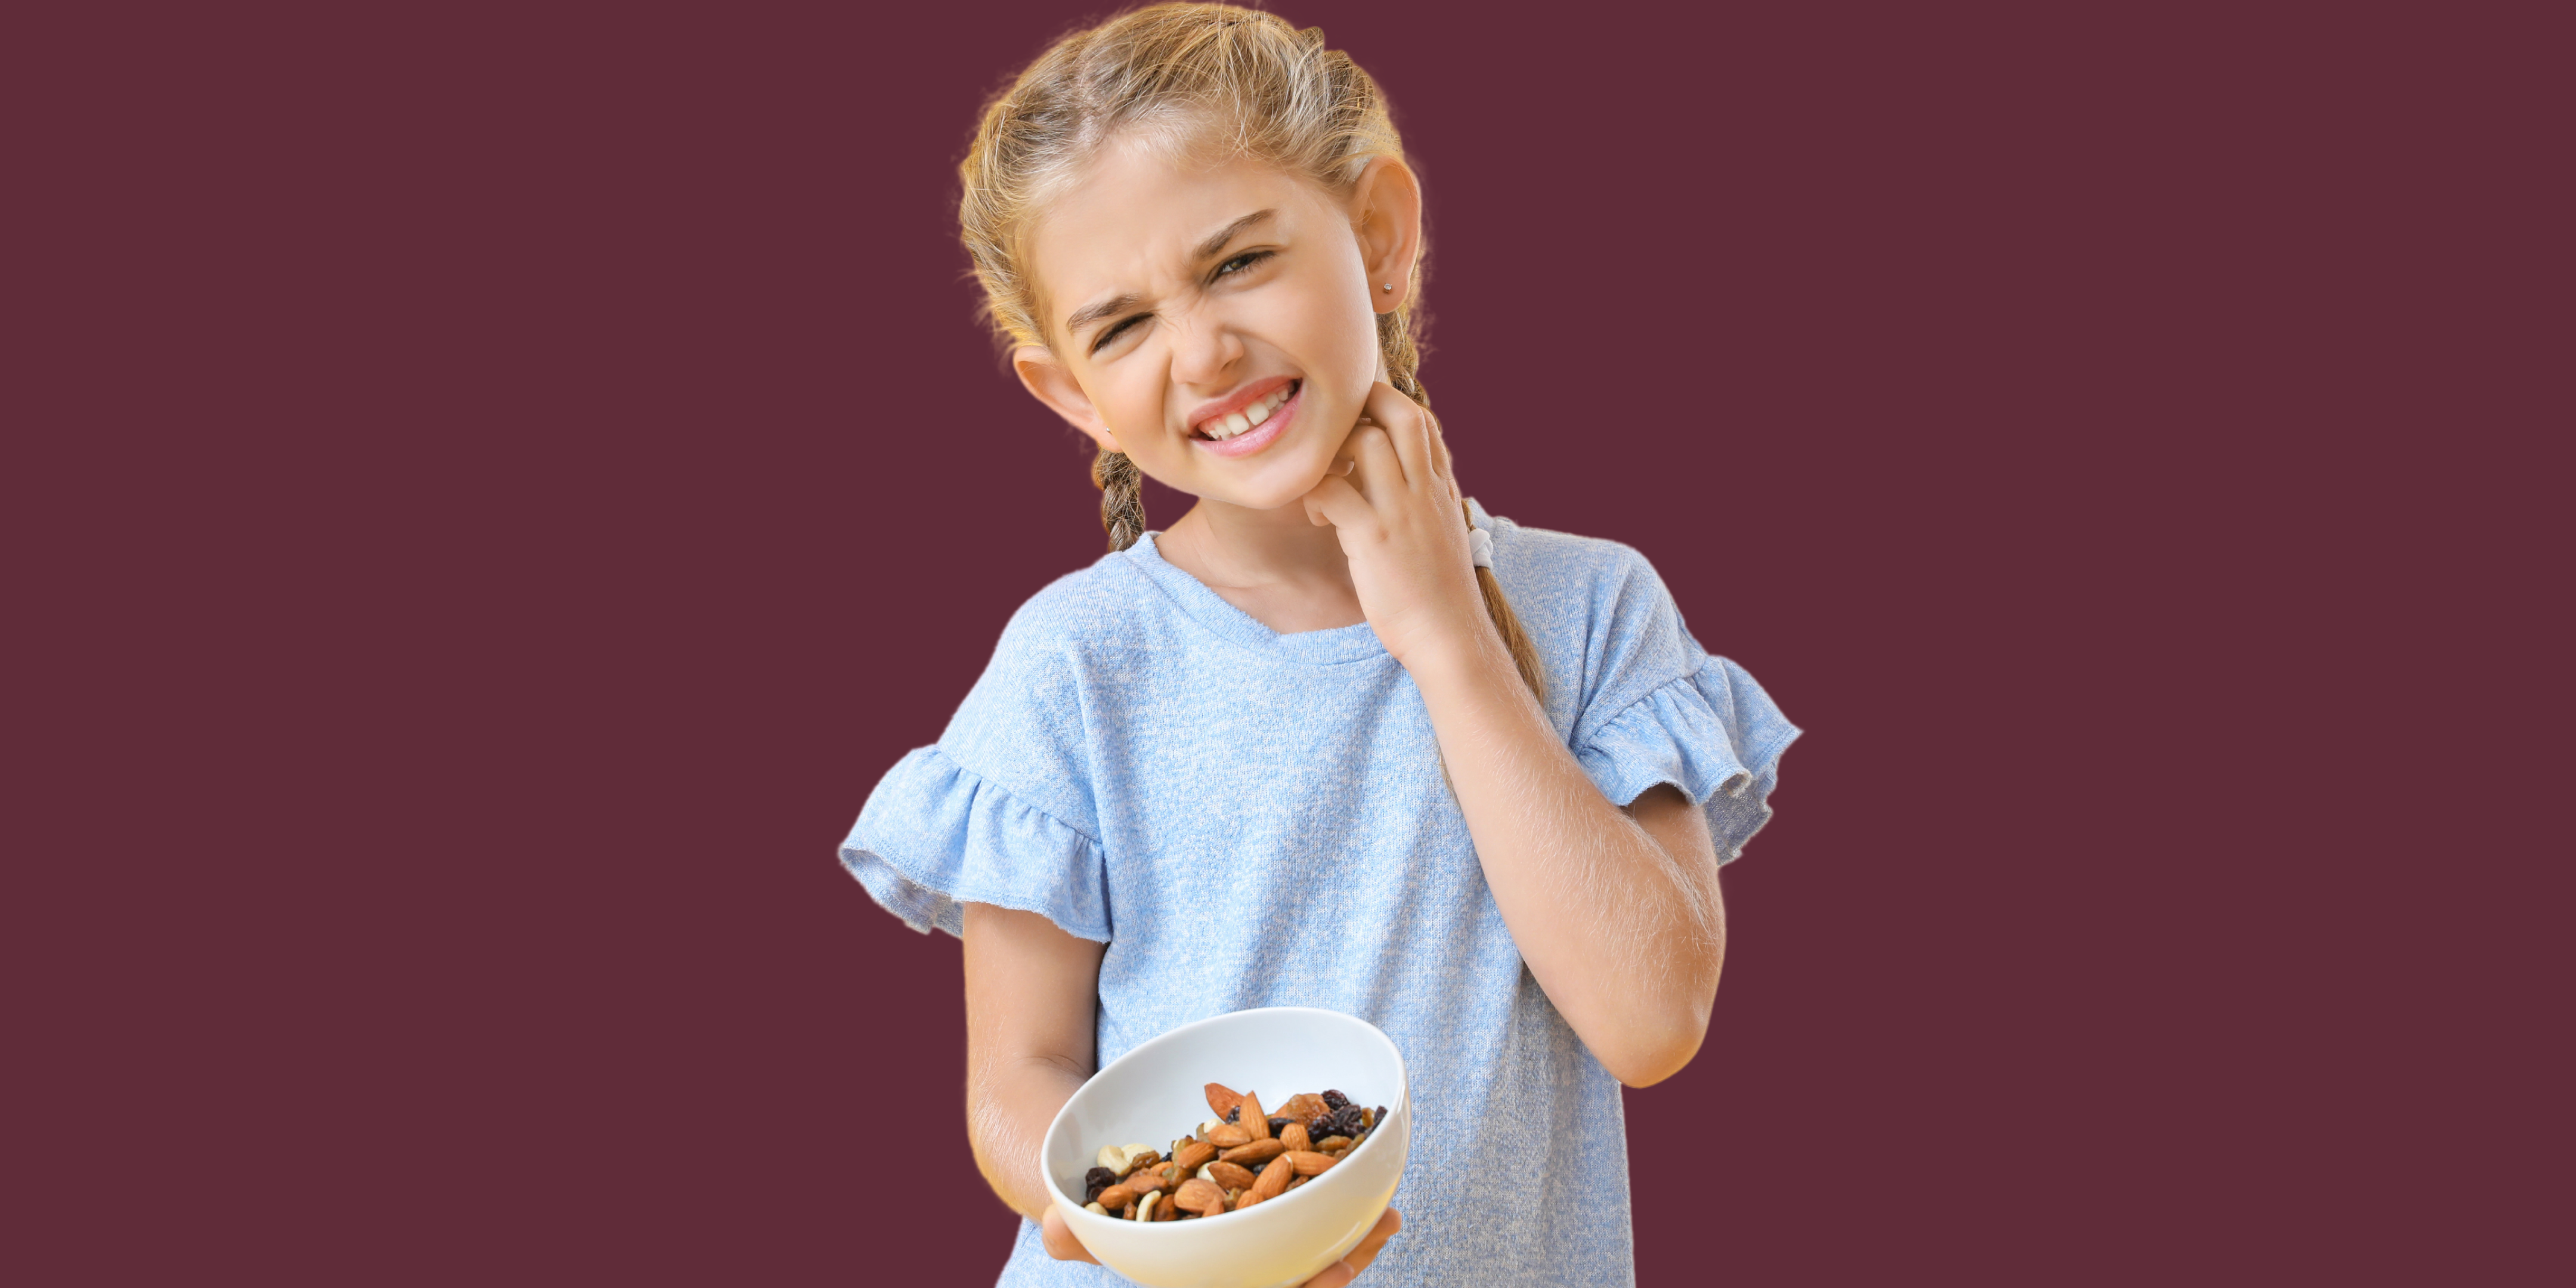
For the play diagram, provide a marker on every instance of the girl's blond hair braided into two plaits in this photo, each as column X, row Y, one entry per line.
column 1209, row 79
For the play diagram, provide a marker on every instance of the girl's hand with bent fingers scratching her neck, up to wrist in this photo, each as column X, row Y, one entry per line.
column 1403, row 532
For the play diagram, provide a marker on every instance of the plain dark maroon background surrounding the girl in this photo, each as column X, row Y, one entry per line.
column 496, row 486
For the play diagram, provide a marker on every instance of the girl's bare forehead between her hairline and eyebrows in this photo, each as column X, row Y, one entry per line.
column 1135, row 218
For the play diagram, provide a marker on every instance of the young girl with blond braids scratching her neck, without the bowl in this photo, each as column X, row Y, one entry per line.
column 1338, row 738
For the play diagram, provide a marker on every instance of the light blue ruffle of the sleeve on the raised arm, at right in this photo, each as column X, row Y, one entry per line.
column 1714, row 735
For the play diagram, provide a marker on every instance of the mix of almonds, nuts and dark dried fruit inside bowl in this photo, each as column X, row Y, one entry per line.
column 1235, row 1160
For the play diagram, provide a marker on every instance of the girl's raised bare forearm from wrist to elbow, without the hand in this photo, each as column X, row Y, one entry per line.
column 1619, row 929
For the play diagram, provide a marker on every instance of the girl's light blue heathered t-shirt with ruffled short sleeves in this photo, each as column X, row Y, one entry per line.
column 1158, row 772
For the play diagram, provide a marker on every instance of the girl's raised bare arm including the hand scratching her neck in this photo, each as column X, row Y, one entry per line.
column 1616, row 911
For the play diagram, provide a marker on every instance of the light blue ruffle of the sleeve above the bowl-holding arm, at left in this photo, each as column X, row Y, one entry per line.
column 936, row 838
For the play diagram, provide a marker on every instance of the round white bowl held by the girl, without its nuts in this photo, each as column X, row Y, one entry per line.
column 1158, row 1094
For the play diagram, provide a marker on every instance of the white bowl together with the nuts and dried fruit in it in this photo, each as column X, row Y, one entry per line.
column 1238, row 1153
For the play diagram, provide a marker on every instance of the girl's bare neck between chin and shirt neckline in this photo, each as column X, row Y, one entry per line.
column 1276, row 565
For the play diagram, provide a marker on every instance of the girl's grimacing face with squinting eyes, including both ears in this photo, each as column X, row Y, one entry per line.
column 1217, row 323
